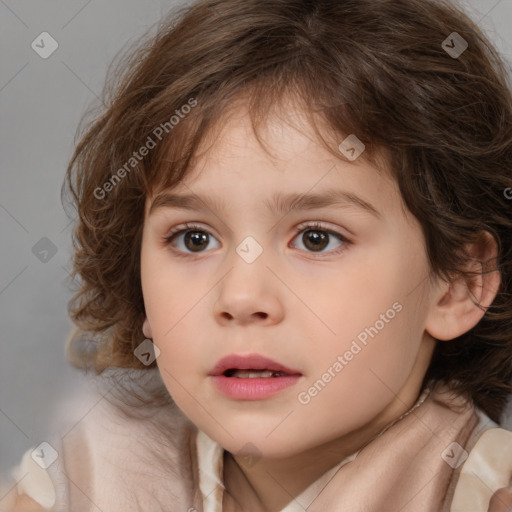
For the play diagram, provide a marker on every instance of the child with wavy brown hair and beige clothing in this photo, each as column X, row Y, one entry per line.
column 305, row 206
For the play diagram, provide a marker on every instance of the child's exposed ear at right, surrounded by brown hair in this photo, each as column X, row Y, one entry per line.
column 458, row 305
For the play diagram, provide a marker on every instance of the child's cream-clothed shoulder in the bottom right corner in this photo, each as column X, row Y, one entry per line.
column 487, row 468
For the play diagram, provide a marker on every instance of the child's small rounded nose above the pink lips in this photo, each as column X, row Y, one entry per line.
column 249, row 293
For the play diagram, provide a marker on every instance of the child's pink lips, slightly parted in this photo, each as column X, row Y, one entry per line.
column 251, row 389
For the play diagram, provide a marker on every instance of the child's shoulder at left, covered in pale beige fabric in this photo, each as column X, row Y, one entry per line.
column 115, row 453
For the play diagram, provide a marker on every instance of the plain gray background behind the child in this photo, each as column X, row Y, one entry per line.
column 42, row 101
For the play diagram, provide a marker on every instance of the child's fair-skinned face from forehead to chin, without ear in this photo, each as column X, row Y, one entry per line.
column 305, row 260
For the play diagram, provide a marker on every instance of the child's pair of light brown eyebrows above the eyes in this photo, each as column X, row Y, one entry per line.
column 279, row 203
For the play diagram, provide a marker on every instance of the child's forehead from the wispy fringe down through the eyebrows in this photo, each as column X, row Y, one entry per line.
column 237, row 151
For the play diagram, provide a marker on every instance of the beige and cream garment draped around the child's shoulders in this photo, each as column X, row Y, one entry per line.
column 441, row 456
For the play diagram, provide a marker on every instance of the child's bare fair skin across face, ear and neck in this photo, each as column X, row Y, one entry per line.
column 297, row 306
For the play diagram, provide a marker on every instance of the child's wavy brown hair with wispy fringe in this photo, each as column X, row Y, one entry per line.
column 374, row 68
